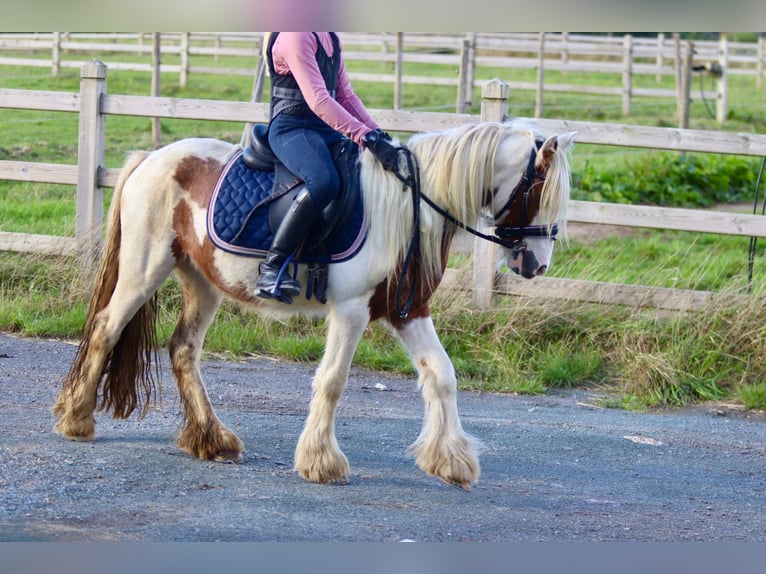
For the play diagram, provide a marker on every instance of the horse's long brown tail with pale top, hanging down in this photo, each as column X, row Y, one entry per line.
column 130, row 366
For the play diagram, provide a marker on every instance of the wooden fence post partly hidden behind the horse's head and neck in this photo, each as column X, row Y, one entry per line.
column 494, row 107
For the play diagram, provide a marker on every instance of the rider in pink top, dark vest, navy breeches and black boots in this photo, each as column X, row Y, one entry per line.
column 312, row 106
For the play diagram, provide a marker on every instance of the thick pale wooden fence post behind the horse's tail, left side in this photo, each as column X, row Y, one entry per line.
column 90, row 158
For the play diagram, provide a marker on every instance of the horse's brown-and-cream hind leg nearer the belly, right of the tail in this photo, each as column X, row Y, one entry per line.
column 202, row 434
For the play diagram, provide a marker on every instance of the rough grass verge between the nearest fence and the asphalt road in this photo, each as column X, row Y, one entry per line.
column 640, row 358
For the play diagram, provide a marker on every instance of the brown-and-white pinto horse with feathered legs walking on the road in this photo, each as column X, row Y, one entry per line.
column 505, row 172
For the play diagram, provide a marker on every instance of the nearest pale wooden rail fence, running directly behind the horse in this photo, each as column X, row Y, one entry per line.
column 93, row 103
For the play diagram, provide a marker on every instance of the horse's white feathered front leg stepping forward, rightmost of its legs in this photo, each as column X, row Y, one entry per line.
column 443, row 448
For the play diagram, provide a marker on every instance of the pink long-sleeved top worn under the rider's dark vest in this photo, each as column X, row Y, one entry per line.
column 295, row 53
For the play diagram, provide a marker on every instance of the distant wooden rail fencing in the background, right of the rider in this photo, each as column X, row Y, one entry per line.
column 625, row 57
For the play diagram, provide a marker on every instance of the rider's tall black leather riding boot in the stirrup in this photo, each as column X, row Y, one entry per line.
column 289, row 237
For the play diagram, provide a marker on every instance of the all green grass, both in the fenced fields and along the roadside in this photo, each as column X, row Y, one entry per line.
column 637, row 358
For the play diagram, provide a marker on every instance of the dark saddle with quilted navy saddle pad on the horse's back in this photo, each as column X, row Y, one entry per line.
column 255, row 191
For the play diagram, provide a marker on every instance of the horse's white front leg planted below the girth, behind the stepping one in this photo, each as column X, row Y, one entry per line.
column 318, row 457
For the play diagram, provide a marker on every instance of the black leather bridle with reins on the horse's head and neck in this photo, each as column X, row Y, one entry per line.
column 506, row 235
